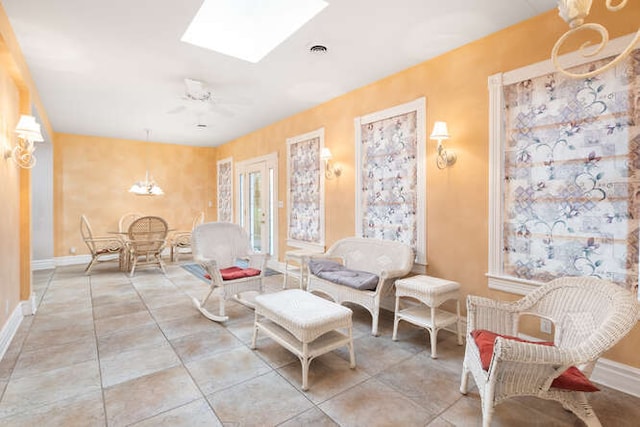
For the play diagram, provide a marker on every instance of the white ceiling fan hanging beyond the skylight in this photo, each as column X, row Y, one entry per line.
column 200, row 100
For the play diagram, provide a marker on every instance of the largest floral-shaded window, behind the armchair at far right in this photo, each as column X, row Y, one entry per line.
column 564, row 176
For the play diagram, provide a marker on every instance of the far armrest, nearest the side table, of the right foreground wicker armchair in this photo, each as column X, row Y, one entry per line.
column 495, row 316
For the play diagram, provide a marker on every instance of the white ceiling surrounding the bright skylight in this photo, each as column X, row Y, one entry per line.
column 113, row 68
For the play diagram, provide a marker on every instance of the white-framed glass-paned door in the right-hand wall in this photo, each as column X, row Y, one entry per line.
column 257, row 202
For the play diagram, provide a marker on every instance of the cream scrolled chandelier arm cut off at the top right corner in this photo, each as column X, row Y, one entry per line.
column 574, row 12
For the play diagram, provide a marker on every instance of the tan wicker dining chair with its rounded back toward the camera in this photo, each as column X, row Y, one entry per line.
column 146, row 240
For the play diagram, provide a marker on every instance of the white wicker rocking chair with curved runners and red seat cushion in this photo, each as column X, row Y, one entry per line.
column 220, row 245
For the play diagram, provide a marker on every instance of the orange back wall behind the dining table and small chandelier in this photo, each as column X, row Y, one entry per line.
column 92, row 176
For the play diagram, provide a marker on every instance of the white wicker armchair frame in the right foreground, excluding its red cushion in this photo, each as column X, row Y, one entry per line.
column 590, row 315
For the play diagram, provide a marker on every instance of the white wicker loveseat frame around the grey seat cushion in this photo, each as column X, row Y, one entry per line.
column 387, row 259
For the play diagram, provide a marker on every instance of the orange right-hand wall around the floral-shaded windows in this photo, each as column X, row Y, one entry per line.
column 455, row 86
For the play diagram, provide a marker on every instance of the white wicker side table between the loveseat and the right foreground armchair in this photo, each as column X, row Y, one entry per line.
column 432, row 292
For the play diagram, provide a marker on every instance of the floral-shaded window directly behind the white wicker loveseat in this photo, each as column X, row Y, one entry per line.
column 390, row 176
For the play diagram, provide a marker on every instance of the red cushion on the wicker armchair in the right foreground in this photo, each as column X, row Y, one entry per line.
column 571, row 379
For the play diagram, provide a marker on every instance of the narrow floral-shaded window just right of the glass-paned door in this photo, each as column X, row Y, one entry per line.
column 305, row 191
